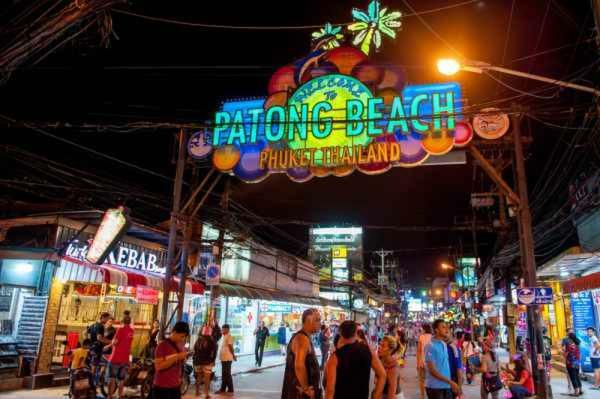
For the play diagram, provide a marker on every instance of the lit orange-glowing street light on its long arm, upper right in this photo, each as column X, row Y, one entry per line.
column 449, row 67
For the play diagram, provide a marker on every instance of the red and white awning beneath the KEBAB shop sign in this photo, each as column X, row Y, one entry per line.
column 72, row 269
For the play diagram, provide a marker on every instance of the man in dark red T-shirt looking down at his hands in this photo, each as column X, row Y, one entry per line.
column 169, row 359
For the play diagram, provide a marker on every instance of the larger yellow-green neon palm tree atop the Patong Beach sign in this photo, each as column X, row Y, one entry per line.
column 369, row 25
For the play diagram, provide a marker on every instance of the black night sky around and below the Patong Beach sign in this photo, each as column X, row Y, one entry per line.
column 172, row 73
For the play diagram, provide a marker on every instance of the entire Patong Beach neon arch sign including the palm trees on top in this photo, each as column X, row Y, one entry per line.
column 333, row 112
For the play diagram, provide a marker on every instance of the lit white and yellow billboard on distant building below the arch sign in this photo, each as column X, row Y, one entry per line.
column 337, row 252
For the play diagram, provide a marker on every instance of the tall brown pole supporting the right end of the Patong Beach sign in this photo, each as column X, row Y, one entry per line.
column 528, row 261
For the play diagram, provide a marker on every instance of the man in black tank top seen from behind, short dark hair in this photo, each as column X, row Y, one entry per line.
column 348, row 370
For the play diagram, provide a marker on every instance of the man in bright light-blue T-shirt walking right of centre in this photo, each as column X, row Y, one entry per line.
column 438, row 382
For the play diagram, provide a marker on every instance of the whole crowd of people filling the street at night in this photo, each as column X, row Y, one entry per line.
column 447, row 357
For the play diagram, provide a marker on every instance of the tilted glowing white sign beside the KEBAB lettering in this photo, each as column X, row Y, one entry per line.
column 114, row 224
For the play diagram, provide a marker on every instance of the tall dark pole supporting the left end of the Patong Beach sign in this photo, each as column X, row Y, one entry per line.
column 177, row 186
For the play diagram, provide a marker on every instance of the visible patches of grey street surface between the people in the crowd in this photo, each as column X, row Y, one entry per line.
column 266, row 384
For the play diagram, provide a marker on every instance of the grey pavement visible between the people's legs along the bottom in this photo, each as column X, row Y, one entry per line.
column 251, row 382
